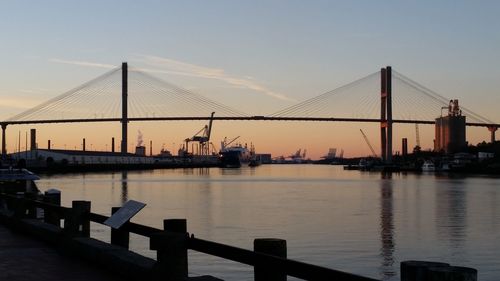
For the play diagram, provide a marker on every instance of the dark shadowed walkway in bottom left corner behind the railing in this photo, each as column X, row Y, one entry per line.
column 23, row 258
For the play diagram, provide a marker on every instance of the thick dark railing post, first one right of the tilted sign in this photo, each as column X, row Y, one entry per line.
column 171, row 247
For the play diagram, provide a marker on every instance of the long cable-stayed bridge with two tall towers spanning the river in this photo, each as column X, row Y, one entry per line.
column 128, row 95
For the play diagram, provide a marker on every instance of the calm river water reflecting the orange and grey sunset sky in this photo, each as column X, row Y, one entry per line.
column 359, row 222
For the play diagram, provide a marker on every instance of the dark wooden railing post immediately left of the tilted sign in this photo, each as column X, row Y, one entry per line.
column 77, row 221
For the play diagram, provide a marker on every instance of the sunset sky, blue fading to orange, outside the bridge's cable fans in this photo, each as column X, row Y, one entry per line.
column 255, row 56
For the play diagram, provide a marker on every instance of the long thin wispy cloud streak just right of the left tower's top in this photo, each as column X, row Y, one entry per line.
column 176, row 67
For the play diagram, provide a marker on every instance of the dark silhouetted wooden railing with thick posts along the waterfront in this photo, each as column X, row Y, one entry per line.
column 173, row 242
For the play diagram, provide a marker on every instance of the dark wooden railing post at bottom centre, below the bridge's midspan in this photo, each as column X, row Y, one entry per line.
column 274, row 247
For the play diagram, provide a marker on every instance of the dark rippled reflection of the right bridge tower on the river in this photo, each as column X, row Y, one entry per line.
column 387, row 270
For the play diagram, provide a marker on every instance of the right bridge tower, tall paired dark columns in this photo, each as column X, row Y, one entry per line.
column 386, row 114
